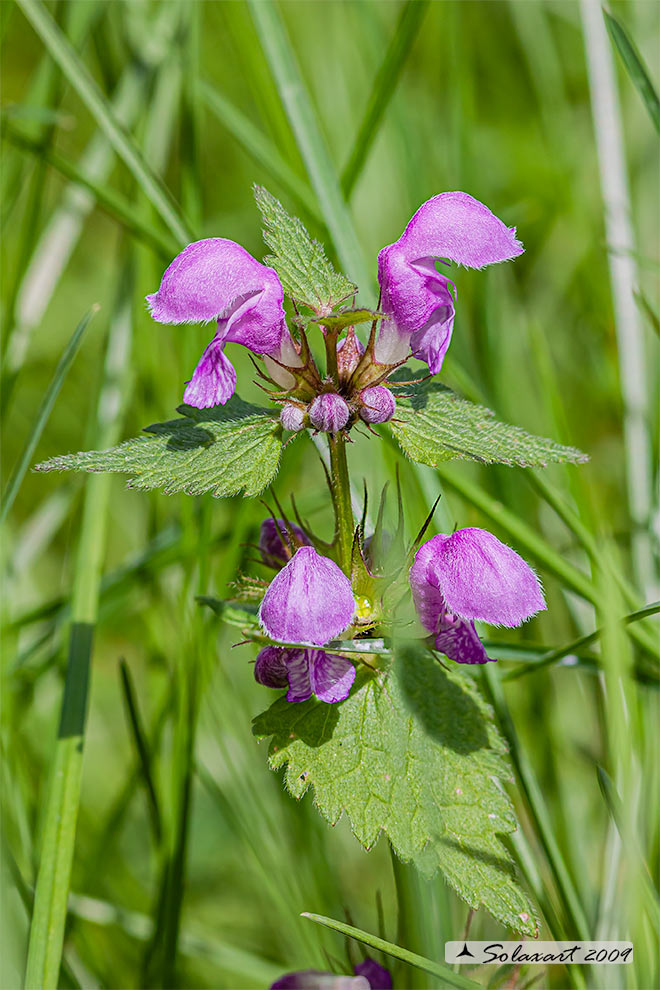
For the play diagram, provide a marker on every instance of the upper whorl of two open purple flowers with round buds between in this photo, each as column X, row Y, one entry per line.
column 216, row 280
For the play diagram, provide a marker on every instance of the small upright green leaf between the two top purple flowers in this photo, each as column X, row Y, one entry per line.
column 301, row 263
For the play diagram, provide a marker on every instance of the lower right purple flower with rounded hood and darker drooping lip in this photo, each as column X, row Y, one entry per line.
column 470, row 576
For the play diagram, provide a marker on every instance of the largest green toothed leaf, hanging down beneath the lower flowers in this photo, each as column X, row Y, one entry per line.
column 415, row 754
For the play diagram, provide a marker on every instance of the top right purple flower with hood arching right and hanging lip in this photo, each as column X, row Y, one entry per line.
column 417, row 299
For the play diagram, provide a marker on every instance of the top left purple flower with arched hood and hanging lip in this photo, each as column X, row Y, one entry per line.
column 216, row 279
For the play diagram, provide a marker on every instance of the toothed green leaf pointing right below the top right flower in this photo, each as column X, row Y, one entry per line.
column 433, row 425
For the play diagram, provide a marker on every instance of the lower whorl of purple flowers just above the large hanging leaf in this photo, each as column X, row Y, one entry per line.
column 455, row 580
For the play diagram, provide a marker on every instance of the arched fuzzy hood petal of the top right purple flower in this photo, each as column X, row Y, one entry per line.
column 456, row 226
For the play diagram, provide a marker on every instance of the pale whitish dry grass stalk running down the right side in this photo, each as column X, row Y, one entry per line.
column 638, row 449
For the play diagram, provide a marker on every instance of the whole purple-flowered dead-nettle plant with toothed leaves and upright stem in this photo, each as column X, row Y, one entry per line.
column 369, row 635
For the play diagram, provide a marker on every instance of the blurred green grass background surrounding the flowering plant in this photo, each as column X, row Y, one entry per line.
column 493, row 98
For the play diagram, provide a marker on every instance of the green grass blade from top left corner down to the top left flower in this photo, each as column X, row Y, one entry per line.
column 88, row 91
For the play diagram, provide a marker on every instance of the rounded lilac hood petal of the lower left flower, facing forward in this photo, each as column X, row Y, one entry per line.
column 309, row 601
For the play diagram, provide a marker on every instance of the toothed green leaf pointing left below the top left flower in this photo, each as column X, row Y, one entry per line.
column 224, row 450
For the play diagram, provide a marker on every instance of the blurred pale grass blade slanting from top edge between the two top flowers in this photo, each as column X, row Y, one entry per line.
column 313, row 148
